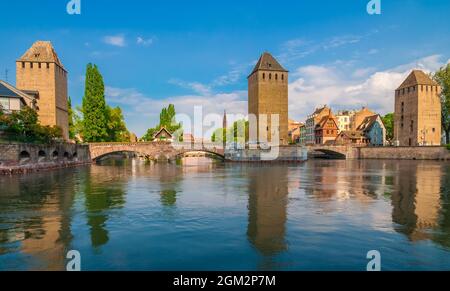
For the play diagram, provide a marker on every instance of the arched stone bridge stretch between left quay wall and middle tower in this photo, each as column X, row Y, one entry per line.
column 156, row 150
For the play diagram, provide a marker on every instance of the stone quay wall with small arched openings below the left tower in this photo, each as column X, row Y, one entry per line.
column 25, row 158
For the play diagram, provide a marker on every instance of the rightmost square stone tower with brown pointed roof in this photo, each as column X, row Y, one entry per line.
column 418, row 111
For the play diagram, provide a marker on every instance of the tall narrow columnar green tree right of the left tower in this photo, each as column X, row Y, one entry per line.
column 94, row 108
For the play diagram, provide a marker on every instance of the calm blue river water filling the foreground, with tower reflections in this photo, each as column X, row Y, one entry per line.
column 320, row 215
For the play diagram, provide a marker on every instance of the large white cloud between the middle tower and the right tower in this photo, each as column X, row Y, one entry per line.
column 314, row 86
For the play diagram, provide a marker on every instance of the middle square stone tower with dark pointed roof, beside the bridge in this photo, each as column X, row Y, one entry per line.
column 268, row 95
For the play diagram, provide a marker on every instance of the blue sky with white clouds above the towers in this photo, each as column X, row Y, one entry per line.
column 199, row 52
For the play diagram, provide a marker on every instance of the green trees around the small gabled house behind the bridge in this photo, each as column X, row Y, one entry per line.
column 167, row 120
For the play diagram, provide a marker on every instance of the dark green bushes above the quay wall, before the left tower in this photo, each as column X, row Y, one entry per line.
column 23, row 126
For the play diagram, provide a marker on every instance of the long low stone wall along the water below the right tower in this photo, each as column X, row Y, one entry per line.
column 405, row 153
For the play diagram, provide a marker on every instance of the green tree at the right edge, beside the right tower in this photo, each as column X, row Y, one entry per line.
column 443, row 78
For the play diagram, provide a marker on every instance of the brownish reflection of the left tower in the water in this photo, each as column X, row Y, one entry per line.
column 36, row 218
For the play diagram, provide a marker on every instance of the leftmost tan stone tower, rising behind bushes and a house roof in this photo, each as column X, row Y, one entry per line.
column 39, row 70
